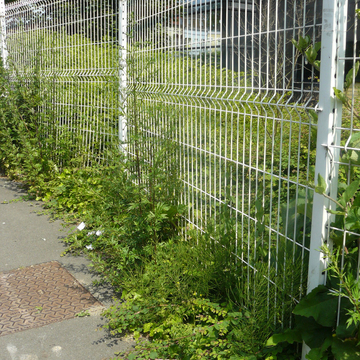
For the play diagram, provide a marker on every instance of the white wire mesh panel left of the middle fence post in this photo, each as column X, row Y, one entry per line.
column 72, row 46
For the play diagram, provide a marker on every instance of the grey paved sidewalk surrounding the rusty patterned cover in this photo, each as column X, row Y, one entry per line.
column 28, row 238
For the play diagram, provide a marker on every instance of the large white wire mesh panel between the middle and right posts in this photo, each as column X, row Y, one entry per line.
column 240, row 92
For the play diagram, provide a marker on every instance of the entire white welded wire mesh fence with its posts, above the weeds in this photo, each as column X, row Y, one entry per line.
column 229, row 82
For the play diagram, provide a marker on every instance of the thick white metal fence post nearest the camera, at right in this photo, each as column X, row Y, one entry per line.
column 333, row 44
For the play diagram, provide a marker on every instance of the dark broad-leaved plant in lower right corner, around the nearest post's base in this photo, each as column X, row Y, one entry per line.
column 328, row 318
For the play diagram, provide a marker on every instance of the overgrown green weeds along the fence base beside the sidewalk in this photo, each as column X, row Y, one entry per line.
column 185, row 294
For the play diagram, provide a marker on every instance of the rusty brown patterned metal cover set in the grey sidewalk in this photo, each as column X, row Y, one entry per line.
column 38, row 295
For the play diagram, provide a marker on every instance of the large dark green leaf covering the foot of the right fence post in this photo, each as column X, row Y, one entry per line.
column 320, row 305
